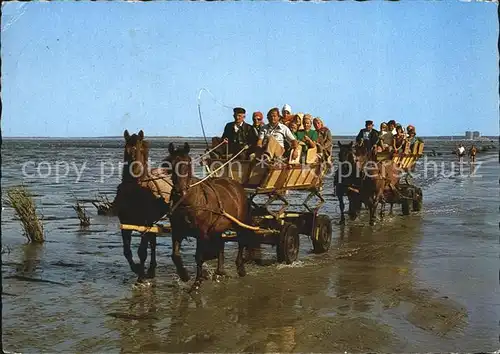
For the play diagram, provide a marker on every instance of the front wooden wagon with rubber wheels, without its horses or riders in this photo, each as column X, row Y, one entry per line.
column 279, row 221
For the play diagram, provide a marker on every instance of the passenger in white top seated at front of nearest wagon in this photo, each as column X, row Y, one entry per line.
column 273, row 136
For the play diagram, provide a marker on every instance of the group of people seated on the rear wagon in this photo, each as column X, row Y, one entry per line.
column 391, row 138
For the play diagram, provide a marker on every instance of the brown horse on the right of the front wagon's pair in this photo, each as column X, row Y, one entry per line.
column 204, row 209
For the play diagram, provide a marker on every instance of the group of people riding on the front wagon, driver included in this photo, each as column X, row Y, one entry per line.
column 286, row 135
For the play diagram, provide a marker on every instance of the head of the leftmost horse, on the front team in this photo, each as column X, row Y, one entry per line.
column 136, row 153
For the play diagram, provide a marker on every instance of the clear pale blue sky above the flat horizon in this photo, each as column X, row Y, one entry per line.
column 91, row 69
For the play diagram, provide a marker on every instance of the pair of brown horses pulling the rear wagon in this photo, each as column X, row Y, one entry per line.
column 376, row 183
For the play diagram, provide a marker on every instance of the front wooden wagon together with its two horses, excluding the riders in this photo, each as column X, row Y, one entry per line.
column 222, row 206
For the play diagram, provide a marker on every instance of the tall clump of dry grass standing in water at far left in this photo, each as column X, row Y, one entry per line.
column 21, row 200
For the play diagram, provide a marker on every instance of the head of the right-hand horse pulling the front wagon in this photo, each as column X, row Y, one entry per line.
column 181, row 167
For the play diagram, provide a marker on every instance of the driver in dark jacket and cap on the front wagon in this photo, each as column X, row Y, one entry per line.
column 239, row 133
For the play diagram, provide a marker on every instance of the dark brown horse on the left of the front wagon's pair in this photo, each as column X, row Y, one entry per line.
column 142, row 199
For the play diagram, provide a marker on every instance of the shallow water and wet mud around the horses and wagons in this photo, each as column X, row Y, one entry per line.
column 424, row 282
